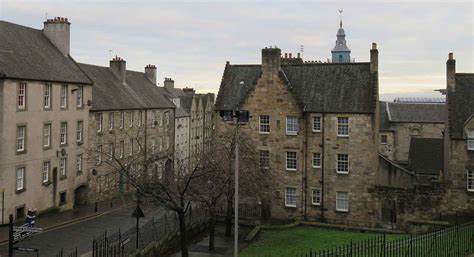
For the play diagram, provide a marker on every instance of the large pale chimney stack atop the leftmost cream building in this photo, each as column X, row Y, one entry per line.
column 57, row 30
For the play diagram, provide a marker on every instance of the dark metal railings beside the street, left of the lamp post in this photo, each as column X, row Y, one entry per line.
column 122, row 243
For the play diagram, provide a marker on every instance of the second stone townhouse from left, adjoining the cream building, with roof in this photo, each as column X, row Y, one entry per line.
column 130, row 120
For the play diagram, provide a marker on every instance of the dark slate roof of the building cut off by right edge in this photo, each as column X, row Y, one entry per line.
column 461, row 104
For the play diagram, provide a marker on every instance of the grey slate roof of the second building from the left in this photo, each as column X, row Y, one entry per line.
column 110, row 94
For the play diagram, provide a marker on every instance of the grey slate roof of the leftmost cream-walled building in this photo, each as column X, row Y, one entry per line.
column 26, row 53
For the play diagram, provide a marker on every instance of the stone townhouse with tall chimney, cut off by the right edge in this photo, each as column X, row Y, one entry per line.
column 459, row 139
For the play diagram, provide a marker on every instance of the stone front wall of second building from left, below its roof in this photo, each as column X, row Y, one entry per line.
column 104, row 179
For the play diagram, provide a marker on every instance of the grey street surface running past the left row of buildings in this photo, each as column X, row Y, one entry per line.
column 76, row 228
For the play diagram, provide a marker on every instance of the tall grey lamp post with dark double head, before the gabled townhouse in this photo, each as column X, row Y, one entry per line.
column 240, row 116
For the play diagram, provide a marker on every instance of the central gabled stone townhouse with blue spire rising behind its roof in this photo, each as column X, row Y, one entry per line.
column 316, row 127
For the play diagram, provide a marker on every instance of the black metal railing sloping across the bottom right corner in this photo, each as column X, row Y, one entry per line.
column 456, row 241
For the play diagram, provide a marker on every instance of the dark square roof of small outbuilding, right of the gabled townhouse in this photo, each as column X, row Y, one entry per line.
column 426, row 155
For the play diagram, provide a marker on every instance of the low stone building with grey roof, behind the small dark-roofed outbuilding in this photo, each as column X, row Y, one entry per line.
column 402, row 120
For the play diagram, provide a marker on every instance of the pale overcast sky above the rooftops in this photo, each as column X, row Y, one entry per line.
column 190, row 41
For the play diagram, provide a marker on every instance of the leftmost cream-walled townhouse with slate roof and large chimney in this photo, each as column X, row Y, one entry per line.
column 45, row 100
